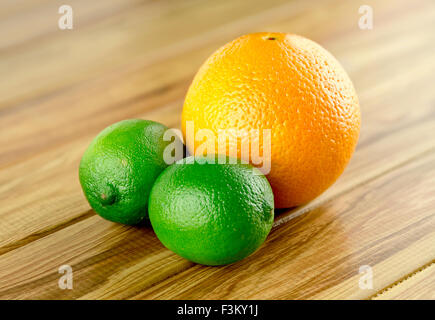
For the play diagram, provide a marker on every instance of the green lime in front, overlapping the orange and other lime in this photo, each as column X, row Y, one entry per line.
column 211, row 213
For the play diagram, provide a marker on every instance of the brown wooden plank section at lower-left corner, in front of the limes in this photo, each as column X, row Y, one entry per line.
column 99, row 252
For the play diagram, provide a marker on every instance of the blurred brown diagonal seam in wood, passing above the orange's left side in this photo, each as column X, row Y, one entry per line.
column 166, row 52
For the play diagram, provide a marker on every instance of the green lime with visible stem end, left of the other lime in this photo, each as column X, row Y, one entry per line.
column 119, row 167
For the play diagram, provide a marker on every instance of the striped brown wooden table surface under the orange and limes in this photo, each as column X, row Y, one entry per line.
column 135, row 59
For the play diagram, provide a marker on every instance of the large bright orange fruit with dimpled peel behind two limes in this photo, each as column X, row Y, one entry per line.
column 292, row 86
